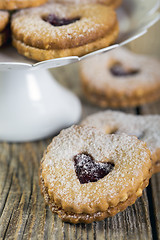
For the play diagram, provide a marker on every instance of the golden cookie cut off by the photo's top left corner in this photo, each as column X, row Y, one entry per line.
column 18, row 4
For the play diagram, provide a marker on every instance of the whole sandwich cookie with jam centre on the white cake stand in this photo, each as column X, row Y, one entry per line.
column 59, row 30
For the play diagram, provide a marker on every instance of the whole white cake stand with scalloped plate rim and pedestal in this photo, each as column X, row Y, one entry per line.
column 32, row 104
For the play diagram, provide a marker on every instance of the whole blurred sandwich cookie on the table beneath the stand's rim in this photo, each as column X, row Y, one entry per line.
column 121, row 78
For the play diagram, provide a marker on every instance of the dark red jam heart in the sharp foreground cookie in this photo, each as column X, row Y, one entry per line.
column 87, row 170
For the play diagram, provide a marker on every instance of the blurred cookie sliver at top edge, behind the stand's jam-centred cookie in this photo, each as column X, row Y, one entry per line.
column 109, row 3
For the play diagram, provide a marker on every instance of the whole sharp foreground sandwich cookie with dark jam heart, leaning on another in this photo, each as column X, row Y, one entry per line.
column 86, row 175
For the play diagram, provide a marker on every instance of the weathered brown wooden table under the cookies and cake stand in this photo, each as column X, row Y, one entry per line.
column 23, row 214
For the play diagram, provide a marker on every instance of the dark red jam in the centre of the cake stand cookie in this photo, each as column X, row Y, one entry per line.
column 57, row 22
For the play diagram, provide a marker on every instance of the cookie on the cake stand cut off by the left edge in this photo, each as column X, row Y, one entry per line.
column 4, row 31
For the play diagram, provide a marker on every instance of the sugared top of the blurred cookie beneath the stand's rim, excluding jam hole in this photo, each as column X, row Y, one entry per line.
column 98, row 75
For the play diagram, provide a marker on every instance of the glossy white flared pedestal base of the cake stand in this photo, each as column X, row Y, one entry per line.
column 33, row 106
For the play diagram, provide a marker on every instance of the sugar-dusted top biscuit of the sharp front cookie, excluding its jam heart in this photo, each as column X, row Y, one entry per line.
column 127, row 153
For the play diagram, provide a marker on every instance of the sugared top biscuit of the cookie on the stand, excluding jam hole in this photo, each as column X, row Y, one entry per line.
column 95, row 21
